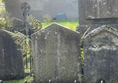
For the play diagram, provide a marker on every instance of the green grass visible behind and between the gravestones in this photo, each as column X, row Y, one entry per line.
column 67, row 23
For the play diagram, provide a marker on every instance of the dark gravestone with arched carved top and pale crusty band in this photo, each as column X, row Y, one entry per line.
column 101, row 55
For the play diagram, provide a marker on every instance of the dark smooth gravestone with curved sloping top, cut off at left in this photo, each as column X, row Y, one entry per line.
column 11, row 60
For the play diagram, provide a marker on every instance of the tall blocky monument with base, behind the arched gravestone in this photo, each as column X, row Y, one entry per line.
column 95, row 13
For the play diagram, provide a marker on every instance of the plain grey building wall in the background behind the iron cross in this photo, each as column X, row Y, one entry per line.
column 42, row 7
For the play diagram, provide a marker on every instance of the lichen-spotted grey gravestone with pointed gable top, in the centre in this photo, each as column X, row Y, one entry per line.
column 56, row 55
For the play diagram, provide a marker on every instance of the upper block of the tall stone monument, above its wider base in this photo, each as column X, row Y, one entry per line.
column 86, row 8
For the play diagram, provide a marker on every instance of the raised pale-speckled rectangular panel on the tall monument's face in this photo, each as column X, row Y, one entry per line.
column 96, row 9
